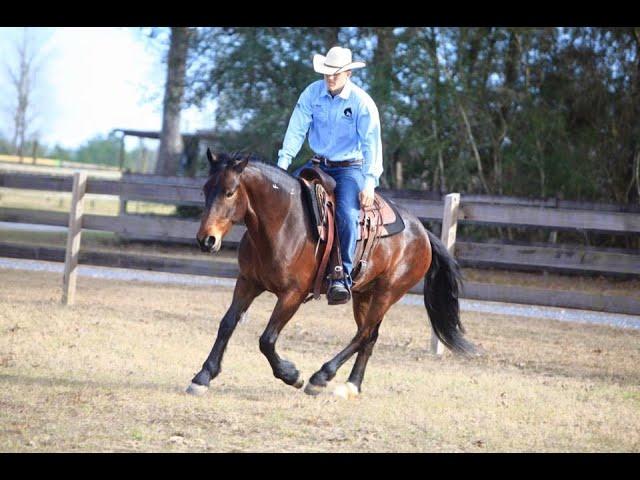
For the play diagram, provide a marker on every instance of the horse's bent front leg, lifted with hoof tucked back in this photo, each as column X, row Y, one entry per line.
column 285, row 308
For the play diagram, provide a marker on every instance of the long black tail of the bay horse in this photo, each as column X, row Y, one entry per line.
column 441, row 285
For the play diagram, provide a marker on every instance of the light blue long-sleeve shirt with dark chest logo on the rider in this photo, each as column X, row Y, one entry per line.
column 343, row 127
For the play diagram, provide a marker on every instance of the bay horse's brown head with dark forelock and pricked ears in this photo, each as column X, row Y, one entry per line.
column 225, row 199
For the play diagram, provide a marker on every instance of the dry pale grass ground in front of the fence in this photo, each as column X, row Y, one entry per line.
column 108, row 375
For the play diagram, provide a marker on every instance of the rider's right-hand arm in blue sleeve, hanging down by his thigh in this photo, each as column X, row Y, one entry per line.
column 368, row 127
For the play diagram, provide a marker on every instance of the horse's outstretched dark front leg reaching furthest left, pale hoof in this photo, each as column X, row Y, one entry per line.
column 245, row 292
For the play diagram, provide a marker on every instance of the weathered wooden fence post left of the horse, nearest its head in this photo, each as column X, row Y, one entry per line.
column 73, row 237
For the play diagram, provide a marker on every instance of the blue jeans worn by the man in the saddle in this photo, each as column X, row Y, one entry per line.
column 349, row 184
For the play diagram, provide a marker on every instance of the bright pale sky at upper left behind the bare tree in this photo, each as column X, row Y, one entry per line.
column 90, row 80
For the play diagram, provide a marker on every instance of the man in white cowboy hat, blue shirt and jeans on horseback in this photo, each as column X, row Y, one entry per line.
column 343, row 125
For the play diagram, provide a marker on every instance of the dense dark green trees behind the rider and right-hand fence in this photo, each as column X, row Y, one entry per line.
column 531, row 112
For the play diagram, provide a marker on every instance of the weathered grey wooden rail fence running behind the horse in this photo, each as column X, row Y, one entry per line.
column 471, row 209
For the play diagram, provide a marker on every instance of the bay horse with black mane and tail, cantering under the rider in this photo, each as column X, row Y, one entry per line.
column 278, row 254
